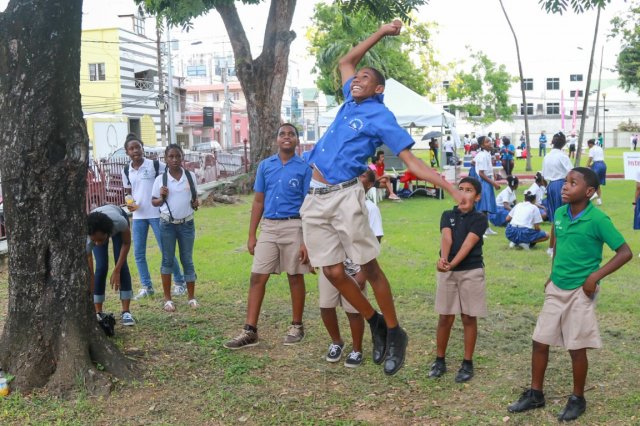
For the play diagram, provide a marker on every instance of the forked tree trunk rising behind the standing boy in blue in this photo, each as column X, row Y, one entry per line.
column 264, row 78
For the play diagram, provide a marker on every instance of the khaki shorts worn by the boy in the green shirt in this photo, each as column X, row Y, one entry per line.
column 568, row 319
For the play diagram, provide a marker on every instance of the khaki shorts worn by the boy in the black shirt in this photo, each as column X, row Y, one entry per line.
column 462, row 292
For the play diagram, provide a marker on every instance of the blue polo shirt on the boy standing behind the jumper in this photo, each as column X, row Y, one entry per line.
column 284, row 185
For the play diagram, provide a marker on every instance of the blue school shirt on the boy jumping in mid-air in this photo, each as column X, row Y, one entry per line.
column 357, row 131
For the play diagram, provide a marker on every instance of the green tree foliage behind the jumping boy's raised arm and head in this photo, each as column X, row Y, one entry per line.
column 408, row 58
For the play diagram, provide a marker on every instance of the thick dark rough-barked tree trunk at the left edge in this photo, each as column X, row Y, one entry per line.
column 51, row 337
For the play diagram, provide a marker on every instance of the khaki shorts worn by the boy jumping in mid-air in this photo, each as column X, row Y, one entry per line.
column 337, row 223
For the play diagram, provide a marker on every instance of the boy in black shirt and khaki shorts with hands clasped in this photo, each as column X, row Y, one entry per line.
column 461, row 283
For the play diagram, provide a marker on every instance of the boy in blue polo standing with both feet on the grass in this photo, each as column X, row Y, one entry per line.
column 282, row 181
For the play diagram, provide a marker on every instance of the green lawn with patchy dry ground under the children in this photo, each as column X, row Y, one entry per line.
column 189, row 378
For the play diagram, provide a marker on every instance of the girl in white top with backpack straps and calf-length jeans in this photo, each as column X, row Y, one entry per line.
column 175, row 193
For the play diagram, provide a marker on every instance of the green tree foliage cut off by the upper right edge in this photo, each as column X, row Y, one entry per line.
column 627, row 28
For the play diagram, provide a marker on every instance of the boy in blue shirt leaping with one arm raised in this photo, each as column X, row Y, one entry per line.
column 334, row 216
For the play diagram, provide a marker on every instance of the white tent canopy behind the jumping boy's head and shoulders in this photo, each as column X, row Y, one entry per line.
column 410, row 108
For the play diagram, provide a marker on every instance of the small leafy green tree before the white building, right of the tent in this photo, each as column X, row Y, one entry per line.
column 482, row 91
